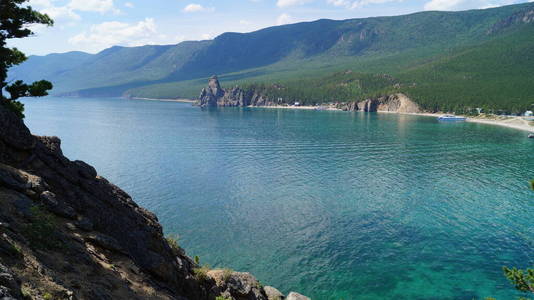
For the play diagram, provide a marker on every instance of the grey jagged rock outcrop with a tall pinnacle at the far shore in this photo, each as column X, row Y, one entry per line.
column 215, row 96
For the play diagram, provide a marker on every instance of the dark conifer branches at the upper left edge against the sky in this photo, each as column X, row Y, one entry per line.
column 15, row 19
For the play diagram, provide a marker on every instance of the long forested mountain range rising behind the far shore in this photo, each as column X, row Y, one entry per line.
column 441, row 59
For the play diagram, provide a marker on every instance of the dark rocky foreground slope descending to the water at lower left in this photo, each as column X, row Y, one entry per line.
column 68, row 233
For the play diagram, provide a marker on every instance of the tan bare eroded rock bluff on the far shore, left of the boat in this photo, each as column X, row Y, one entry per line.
column 398, row 103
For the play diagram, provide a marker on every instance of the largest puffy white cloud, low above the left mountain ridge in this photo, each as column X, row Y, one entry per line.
column 113, row 33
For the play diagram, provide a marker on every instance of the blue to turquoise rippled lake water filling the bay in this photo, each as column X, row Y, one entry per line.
column 335, row 205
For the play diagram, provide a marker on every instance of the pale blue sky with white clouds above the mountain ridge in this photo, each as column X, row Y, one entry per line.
column 93, row 25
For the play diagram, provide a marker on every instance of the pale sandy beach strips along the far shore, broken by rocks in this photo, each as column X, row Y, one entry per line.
column 517, row 123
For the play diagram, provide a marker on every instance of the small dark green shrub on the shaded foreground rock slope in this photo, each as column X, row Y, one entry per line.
column 41, row 232
